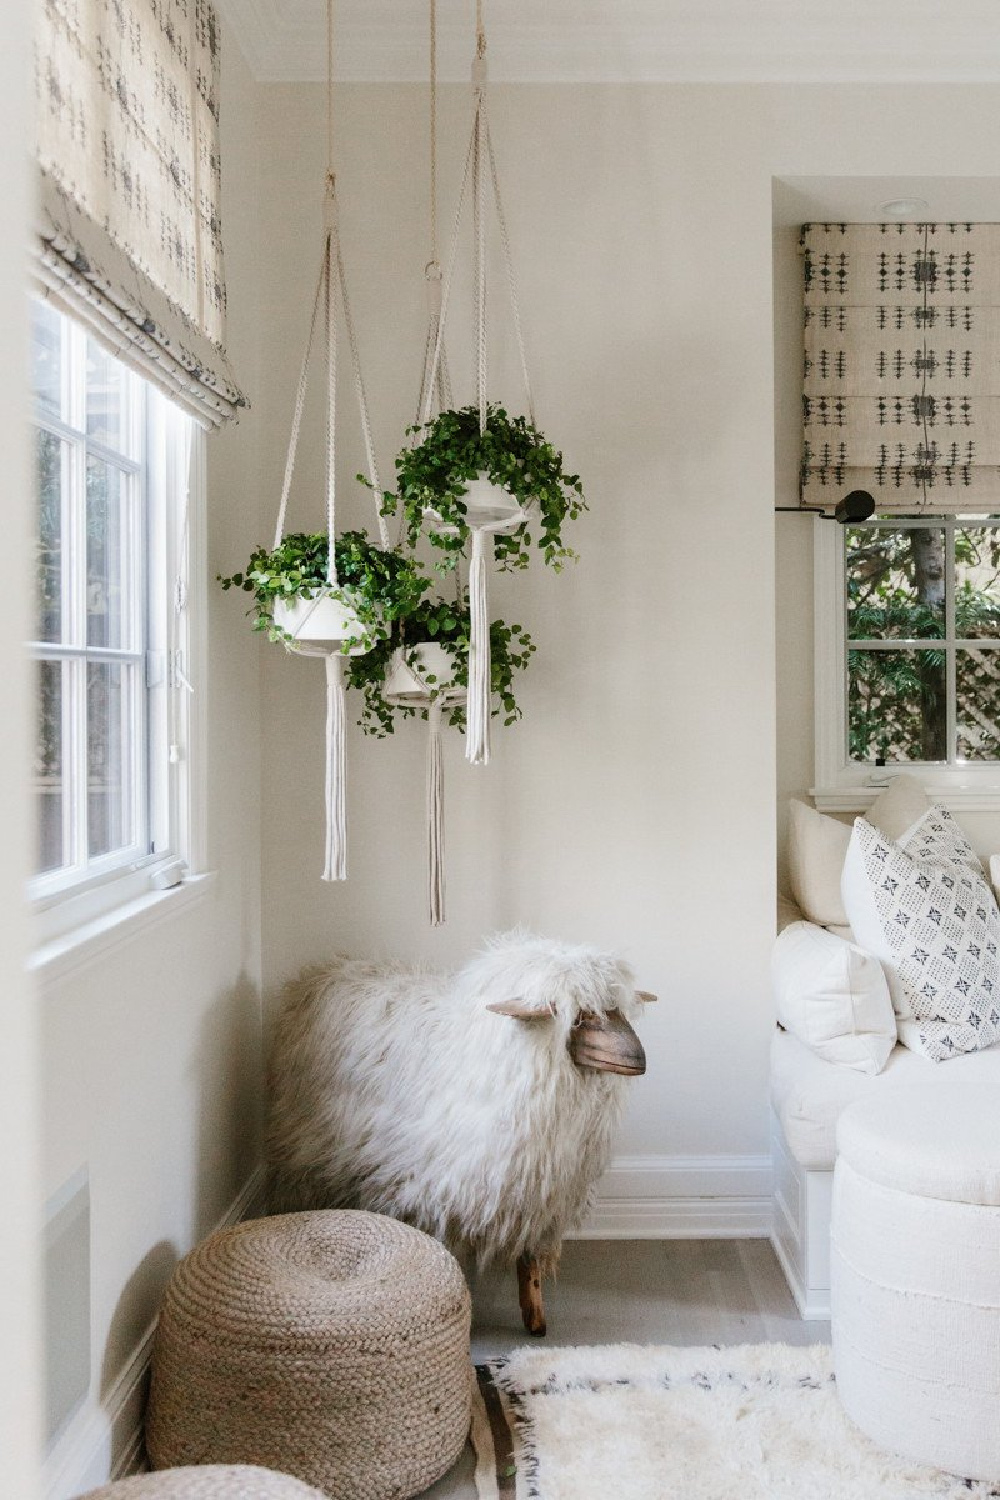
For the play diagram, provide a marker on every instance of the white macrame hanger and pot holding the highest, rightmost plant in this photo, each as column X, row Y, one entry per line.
column 490, row 511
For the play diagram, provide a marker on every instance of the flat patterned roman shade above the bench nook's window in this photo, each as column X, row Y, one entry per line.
column 902, row 389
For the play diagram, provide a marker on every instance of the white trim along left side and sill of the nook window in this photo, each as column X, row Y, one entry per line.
column 840, row 785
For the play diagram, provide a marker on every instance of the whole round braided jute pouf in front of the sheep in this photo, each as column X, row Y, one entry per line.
column 332, row 1346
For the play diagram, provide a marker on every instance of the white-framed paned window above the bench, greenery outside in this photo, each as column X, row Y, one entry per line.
column 909, row 653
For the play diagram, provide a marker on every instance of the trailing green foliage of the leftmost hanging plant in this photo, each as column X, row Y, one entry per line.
column 383, row 587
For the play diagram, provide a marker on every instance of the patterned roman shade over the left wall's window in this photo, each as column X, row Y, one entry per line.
column 130, row 206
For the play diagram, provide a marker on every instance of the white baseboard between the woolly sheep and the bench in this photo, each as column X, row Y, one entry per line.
column 683, row 1198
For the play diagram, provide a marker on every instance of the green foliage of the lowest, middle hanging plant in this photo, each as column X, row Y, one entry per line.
column 439, row 623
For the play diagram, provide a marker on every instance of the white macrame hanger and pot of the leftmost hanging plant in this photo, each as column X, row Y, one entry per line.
column 328, row 626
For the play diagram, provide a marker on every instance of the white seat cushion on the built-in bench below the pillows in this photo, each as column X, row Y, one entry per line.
column 810, row 1096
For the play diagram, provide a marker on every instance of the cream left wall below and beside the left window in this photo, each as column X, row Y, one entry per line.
column 151, row 1055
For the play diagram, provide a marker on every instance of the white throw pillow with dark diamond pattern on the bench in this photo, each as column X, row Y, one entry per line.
column 924, row 908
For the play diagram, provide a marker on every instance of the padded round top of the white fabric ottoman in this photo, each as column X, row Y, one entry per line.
column 939, row 1141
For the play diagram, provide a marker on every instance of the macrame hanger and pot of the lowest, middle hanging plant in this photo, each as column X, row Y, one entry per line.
column 407, row 685
